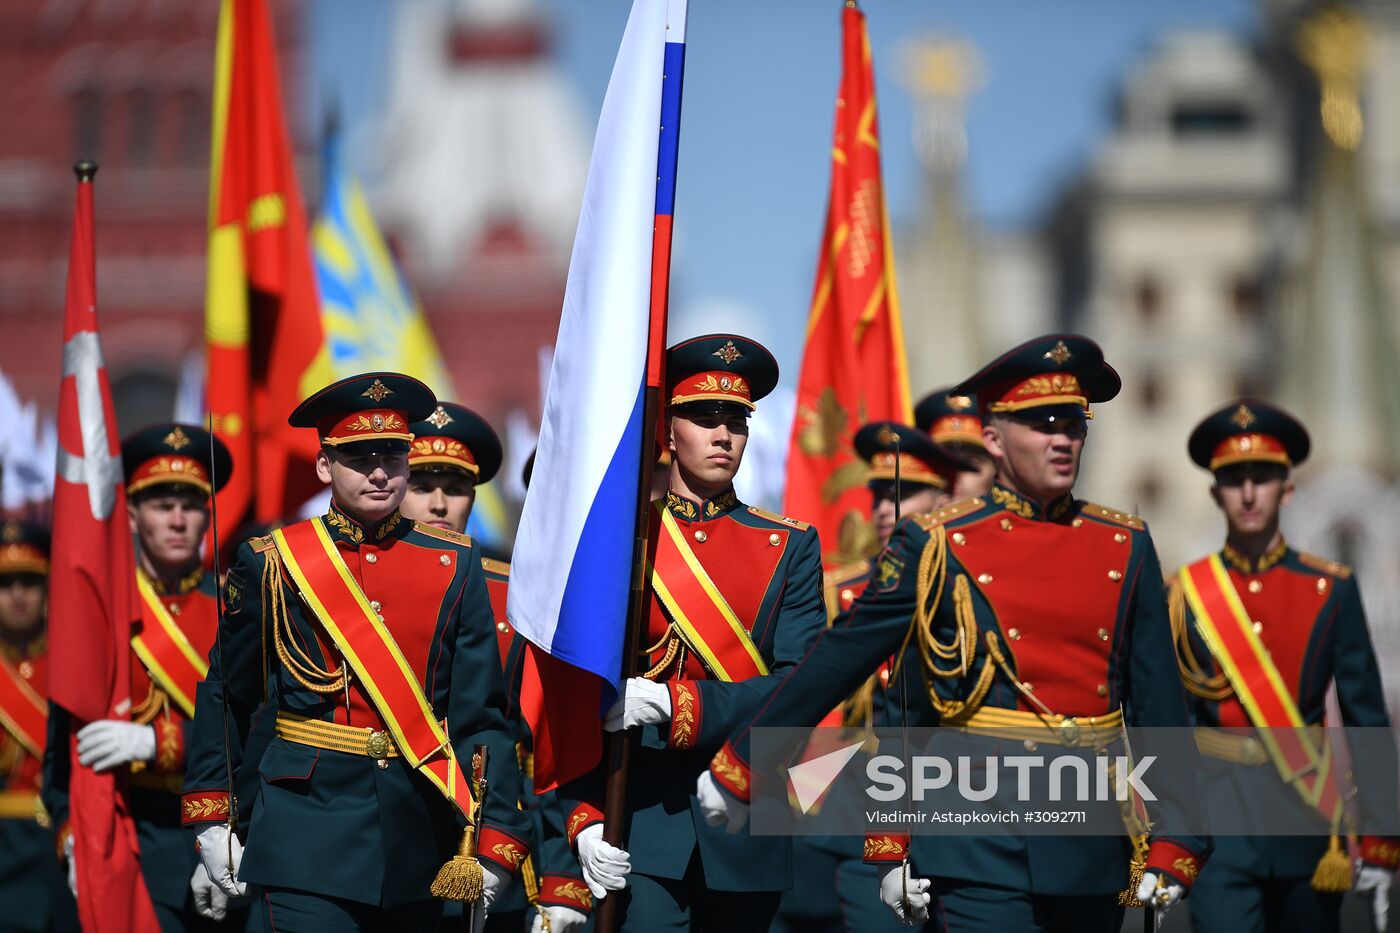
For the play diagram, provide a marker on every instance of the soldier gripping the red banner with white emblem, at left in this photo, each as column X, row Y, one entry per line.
column 171, row 474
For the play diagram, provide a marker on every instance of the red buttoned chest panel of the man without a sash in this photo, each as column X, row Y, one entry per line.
column 1056, row 590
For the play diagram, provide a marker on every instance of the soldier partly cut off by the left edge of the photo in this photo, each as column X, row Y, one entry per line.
column 33, row 887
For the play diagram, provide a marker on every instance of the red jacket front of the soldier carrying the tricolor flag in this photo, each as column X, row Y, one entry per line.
column 738, row 560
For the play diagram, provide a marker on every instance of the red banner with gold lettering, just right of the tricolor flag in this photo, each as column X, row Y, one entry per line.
column 853, row 369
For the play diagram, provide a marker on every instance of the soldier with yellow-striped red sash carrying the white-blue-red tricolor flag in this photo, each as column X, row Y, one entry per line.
column 736, row 600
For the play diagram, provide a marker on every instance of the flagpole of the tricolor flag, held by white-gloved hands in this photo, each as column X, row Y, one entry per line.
column 619, row 746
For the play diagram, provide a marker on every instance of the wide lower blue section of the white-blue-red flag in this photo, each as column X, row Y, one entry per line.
column 604, row 558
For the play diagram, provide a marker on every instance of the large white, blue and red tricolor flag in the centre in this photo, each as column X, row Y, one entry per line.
column 573, row 561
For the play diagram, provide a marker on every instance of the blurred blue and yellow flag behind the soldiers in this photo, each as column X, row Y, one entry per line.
column 370, row 317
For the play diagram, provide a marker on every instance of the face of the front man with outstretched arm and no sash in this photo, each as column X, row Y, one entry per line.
column 1035, row 456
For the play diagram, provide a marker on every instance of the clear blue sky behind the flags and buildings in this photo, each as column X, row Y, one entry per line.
column 757, row 120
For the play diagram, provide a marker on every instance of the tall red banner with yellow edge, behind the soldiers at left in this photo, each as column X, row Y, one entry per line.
column 262, row 319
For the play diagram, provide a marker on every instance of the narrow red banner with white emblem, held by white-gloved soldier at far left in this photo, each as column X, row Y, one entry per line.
column 93, row 600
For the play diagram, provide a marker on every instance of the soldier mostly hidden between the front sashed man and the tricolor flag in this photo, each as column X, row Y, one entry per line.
column 454, row 453
